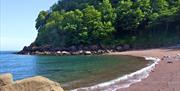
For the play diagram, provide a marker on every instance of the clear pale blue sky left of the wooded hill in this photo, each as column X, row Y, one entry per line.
column 17, row 27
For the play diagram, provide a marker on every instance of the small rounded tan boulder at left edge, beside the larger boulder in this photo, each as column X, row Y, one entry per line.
column 6, row 79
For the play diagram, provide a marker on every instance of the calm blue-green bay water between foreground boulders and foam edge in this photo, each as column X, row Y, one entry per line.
column 71, row 71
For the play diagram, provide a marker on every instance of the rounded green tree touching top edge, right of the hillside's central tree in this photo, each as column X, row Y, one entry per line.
column 128, row 16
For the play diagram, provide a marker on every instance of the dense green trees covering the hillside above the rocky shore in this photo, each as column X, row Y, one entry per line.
column 139, row 23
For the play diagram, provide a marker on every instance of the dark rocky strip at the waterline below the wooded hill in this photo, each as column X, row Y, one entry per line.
column 72, row 50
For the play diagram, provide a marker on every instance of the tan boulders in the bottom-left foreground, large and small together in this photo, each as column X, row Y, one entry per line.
column 37, row 83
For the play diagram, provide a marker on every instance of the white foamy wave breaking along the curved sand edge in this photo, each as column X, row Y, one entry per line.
column 124, row 81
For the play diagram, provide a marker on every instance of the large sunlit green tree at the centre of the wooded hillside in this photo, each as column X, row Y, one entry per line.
column 96, row 29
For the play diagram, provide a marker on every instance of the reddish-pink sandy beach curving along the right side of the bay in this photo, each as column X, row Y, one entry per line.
column 165, row 77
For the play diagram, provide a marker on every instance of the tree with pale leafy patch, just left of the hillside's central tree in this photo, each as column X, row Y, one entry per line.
column 71, row 26
